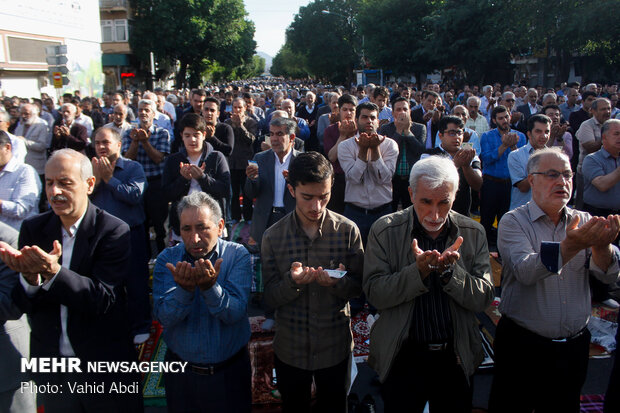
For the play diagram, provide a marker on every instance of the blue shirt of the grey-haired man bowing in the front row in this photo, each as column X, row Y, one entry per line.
column 204, row 326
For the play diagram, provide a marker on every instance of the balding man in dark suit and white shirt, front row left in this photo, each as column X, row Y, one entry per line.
column 74, row 294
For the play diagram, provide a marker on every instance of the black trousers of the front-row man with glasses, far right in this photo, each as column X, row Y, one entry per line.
column 535, row 373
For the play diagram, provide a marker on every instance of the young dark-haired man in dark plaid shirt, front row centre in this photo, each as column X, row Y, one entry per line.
column 313, row 335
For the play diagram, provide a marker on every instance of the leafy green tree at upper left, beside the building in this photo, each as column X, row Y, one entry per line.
column 196, row 33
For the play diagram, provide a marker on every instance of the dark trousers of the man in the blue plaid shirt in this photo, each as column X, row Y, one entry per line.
column 156, row 209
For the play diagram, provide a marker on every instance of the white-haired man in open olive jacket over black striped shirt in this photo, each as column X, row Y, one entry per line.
column 426, row 269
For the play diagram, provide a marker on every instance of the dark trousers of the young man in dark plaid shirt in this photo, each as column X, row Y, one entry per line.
column 294, row 385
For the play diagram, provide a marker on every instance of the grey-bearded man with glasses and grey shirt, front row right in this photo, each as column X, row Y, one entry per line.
column 549, row 250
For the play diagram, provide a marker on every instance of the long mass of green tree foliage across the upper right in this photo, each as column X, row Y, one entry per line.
column 478, row 37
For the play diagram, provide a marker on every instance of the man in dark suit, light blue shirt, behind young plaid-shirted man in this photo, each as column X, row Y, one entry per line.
column 272, row 202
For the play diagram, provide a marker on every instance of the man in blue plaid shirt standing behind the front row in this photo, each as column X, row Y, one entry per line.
column 149, row 145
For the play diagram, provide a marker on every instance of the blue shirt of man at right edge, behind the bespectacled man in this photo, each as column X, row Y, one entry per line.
column 598, row 164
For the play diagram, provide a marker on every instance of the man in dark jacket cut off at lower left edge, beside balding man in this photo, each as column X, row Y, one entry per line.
column 14, row 339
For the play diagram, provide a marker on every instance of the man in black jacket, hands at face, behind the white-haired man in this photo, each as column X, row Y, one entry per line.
column 410, row 137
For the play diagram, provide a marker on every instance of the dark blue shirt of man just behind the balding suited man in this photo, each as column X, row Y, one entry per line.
column 122, row 195
